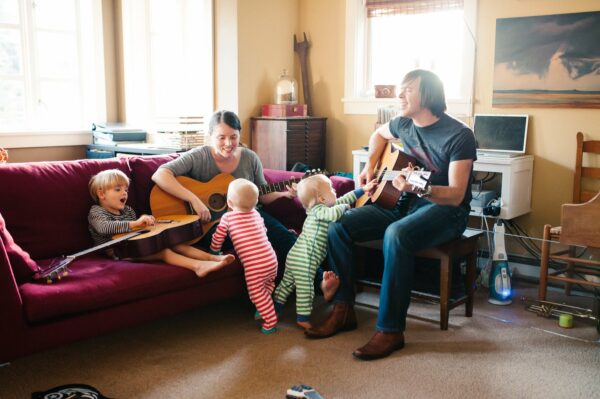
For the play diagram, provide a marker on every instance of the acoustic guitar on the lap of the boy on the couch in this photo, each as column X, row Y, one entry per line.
column 168, row 231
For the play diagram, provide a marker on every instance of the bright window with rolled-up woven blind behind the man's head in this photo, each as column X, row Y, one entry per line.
column 387, row 38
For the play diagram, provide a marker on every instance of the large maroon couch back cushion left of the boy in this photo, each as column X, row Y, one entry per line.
column 45, row 204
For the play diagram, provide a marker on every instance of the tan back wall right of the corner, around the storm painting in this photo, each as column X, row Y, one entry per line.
column 551, row 133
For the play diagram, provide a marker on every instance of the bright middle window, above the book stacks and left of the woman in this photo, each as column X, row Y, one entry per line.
column 168, row 60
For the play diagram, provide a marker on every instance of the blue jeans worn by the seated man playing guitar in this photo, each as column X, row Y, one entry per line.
column 405, row 231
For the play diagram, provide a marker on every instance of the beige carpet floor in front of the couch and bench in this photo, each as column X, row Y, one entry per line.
column 218, row 352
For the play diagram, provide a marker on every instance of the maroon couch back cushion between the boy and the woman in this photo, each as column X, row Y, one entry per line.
column 142, row 169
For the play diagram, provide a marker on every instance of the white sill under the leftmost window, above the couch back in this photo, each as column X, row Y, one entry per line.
column 33, row 139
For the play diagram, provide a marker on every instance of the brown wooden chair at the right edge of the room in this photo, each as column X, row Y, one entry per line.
column 580, row 227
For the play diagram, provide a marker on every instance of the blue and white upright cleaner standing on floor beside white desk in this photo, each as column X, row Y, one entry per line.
column 499, row 283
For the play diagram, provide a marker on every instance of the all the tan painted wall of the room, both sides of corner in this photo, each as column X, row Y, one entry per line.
column 265, row 31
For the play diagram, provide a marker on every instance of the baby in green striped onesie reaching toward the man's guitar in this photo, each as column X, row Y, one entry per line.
column 319, row 199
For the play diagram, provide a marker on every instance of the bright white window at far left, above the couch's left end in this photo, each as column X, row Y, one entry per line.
column 51, row 65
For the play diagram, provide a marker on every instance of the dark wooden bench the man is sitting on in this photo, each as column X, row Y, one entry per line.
column 464, row 247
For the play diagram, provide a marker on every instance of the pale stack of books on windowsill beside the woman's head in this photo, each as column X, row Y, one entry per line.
column 179, row 133
